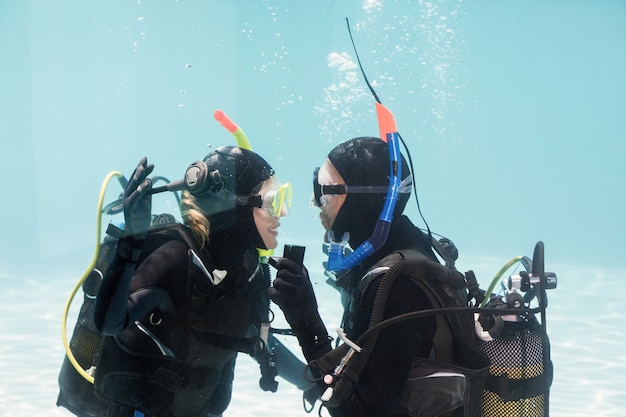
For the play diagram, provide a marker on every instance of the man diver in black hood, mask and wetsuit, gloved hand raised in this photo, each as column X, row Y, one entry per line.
column 350, row 189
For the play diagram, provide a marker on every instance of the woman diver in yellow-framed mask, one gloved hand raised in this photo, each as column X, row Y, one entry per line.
column 177, row 301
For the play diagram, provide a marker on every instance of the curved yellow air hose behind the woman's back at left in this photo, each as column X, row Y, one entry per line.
column 68, row 351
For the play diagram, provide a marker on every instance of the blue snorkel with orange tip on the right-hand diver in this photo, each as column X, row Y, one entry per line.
column 336, row 259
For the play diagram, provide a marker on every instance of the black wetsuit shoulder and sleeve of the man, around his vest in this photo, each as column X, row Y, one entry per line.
column 382, row 381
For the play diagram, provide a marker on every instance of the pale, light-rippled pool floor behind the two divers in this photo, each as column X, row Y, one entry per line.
column 585, row 322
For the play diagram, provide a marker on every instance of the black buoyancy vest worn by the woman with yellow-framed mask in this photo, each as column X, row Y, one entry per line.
column 145, row 365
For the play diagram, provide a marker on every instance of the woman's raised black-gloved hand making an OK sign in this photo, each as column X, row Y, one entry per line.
column 137, row 201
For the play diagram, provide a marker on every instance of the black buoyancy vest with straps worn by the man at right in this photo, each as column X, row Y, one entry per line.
column 452, row 379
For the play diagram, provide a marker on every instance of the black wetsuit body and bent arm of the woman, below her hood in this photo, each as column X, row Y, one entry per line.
column 171, row 329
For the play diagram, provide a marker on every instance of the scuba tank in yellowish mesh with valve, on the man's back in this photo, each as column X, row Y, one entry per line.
column 517, row 345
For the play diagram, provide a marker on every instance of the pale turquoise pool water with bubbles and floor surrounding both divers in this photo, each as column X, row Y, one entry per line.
column 513, row 113
